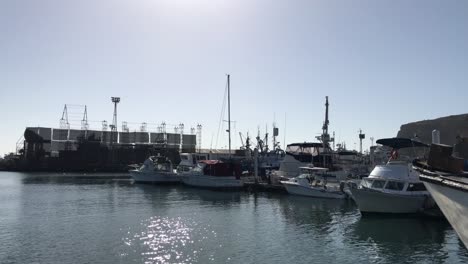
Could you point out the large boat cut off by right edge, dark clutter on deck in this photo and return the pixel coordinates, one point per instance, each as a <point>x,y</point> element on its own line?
<point>448,185</point>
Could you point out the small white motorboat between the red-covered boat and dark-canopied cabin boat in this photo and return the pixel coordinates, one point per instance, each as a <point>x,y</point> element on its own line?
<point>315,182</point>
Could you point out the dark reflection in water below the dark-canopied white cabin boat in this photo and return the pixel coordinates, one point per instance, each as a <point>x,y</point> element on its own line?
<point>413,239</point>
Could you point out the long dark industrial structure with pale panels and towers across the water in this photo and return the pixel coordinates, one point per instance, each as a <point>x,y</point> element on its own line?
<point>85,149</point>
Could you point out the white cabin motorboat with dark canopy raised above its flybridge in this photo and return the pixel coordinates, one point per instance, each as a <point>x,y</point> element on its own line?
<point>394,187</point>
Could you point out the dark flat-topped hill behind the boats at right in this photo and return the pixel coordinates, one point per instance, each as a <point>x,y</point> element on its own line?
<point>450,128</point>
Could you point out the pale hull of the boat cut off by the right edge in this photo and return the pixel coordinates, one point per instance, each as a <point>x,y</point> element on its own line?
<point>453,202</point>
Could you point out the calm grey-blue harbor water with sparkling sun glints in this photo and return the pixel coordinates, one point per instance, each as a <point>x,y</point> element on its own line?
<point>59,219</point>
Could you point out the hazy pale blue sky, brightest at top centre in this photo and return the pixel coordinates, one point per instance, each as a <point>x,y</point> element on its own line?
<point>382,64</point>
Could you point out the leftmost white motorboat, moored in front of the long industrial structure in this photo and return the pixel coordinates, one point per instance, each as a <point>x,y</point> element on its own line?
<point>155,170</point>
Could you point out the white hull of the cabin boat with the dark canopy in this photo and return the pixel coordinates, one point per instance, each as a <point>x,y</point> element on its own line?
<point>372,201</point>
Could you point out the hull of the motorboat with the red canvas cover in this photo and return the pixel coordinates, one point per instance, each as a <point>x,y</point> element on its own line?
<point>215,182</point>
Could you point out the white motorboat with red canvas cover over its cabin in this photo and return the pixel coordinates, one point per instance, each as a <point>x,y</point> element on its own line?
<point>214,174</point>
